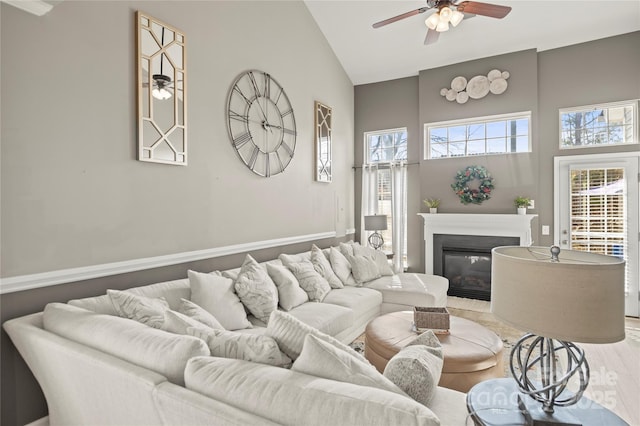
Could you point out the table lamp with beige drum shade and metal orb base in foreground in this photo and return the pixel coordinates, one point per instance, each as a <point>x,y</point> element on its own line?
<point>557,297</point>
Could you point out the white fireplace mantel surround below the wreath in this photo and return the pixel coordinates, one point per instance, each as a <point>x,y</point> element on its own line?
<point>498,225</point>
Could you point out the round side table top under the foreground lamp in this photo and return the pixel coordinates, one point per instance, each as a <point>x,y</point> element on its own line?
<point>498,402</point>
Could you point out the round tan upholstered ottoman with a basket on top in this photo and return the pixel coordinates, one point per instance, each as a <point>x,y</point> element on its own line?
<point>472,353</point>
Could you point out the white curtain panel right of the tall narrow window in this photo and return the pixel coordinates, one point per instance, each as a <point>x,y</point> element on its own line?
<point>399,209</point>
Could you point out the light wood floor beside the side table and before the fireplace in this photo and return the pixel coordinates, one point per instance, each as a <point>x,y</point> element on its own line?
<point>615,368</point>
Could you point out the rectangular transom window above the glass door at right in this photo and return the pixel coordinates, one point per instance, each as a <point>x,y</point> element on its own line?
<point>599,125</point>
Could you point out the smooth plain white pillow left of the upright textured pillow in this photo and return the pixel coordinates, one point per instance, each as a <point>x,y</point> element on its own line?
<point>215,294</point>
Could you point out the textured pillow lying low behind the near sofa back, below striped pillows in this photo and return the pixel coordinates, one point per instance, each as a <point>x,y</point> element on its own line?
<point>249,347</point>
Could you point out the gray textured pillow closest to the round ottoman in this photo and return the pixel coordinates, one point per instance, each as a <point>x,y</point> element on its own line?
<point>416,369</point>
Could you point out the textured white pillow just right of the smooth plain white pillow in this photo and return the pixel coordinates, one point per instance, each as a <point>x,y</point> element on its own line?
<point>256,289</point>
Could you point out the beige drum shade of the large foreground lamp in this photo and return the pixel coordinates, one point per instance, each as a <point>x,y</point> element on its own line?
<point>580,298</point>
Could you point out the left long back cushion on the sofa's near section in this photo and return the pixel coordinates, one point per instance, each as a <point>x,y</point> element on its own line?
<point>131,341</point>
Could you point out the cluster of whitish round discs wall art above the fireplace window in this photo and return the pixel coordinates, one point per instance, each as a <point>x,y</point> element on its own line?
<point>477,87</point>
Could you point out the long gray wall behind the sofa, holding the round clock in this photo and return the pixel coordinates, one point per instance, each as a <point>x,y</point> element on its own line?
<point>73,193</point>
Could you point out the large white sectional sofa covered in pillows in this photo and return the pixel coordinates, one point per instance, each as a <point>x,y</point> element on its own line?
<point>96,367</point>
